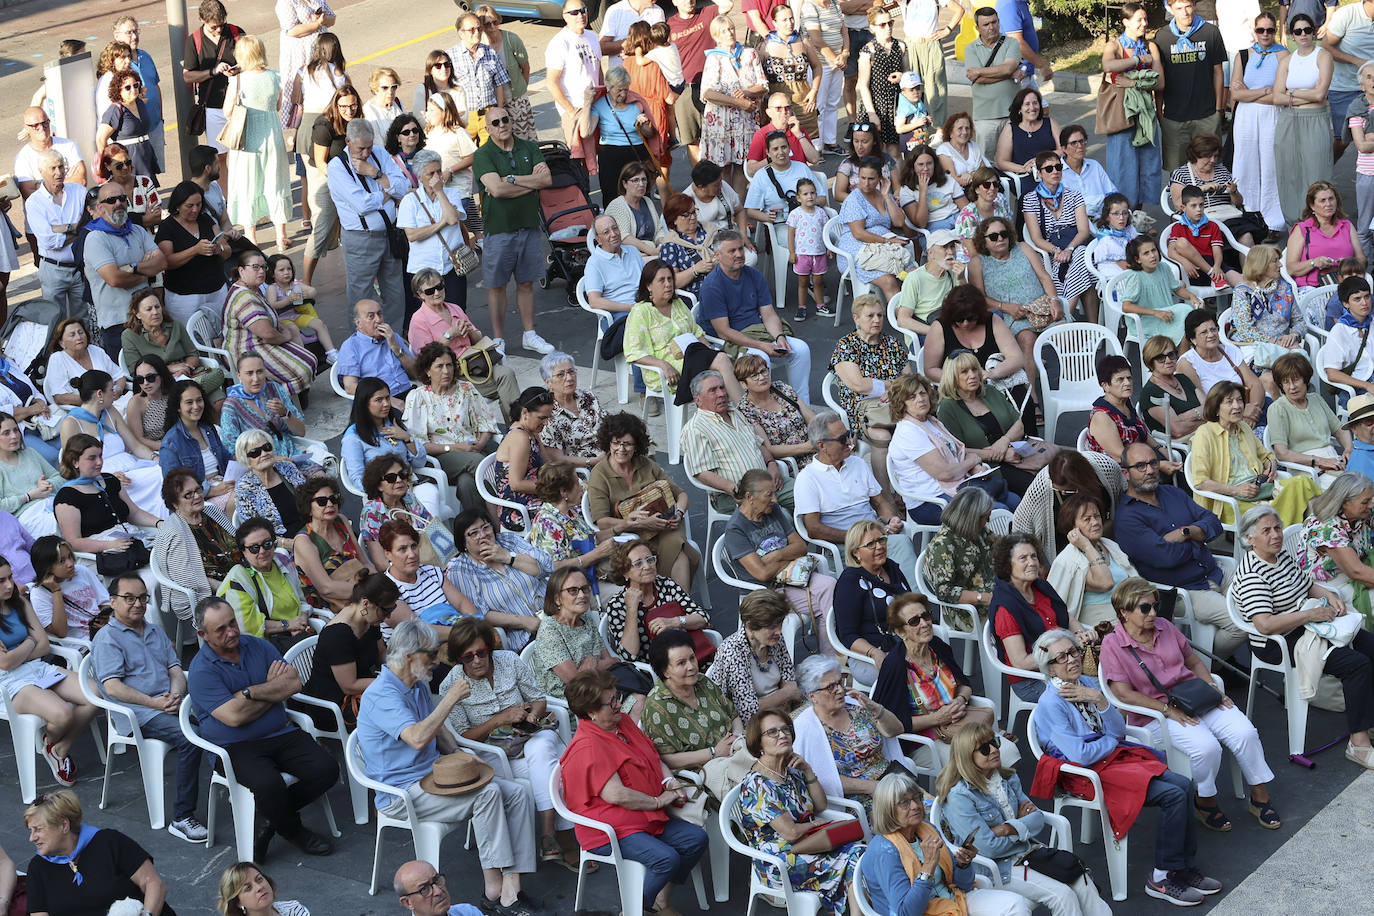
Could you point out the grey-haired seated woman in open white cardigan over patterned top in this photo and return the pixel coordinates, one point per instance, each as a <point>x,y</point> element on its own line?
<point>848,738</point>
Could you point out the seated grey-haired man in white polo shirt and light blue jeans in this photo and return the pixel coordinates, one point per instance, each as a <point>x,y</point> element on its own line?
<point>839,490</point>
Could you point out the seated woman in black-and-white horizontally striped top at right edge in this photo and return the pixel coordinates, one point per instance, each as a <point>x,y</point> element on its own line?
<point>1281,598</point>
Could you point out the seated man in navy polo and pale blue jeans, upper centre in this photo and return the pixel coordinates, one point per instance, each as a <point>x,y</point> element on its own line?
<point>740,308</point>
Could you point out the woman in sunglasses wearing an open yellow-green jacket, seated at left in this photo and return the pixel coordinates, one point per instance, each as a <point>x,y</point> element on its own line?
<point>264,588</point>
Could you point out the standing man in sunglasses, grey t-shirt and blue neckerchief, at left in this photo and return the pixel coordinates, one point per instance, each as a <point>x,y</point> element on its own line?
<point>122,259</point>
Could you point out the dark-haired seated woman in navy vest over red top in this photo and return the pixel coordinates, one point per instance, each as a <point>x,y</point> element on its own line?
<point>1024,606</point>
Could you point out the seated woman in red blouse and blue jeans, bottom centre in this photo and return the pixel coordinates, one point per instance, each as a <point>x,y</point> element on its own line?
<point>613,774</point>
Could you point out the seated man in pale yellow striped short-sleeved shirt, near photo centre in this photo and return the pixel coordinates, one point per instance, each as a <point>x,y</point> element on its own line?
<point>719,446</point>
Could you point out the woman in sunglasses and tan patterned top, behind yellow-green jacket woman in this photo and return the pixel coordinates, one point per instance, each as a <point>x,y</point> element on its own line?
<point>325,550</point>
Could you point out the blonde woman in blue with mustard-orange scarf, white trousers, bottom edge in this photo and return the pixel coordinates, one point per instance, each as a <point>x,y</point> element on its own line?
<point>910,871</point>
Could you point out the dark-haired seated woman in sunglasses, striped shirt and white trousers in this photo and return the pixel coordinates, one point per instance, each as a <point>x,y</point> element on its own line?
<point>501,708</point>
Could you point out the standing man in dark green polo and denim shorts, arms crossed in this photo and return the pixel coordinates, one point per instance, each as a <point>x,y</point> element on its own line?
<point>512,172</point>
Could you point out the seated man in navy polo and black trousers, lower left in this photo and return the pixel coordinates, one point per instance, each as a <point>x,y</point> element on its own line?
<point>240,687</point>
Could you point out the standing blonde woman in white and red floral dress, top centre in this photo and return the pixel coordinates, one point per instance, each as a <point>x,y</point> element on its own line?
<point>732,84</point>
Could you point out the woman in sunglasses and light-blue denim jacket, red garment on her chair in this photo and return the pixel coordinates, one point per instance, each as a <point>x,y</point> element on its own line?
<point>1078,726</point>
